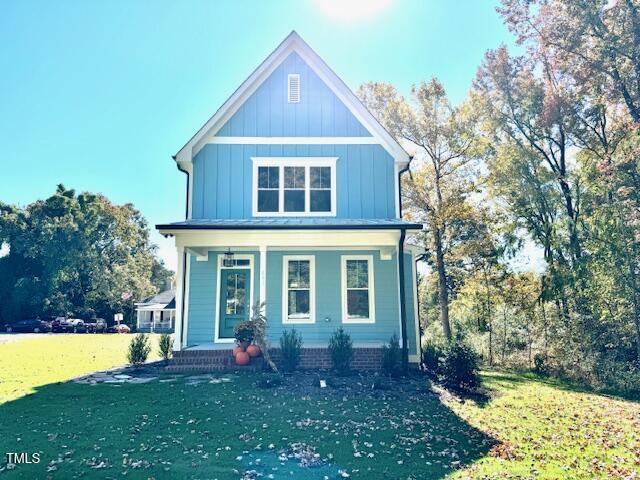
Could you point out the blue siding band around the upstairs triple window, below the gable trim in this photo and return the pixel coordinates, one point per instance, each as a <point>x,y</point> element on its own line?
<point>222,182</point>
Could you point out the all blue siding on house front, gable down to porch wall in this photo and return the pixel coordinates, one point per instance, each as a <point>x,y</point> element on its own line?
<point>266,124</point>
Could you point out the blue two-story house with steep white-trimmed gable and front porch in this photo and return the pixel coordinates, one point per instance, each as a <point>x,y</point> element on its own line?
<point>293,199</point>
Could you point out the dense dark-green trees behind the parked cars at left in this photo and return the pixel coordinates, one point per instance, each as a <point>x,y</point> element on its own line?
<point>75,254</point>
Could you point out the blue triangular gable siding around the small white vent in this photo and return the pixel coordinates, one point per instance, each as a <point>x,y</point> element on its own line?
<point>267,112</point>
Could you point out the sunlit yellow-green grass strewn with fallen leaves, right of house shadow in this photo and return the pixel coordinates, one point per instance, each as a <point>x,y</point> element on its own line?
<point>548,429</point>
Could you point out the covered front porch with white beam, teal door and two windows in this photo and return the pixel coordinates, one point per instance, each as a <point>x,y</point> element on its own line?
<point>300,278</point>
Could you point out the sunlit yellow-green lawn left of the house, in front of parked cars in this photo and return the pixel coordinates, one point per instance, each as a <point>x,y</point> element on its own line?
<point>39,360</point>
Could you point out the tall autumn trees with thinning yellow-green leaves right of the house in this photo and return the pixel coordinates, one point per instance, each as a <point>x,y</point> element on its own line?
<point>545,149</point>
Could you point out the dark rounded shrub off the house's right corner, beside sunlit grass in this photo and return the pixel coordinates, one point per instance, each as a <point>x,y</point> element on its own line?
<point>458,366</point>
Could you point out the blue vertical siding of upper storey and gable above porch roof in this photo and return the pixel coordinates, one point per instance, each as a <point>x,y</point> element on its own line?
<point>222,177</point>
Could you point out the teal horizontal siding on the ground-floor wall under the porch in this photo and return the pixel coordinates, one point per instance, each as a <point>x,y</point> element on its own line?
<point>203,290</point>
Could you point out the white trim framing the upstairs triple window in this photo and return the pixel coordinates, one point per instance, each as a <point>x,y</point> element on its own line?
<point>282,162</point>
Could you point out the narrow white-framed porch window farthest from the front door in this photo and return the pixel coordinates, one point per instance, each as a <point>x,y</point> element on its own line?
<point>358,294</point>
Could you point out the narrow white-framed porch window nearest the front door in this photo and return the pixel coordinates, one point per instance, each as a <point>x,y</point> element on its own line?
<point>299,295</point>
